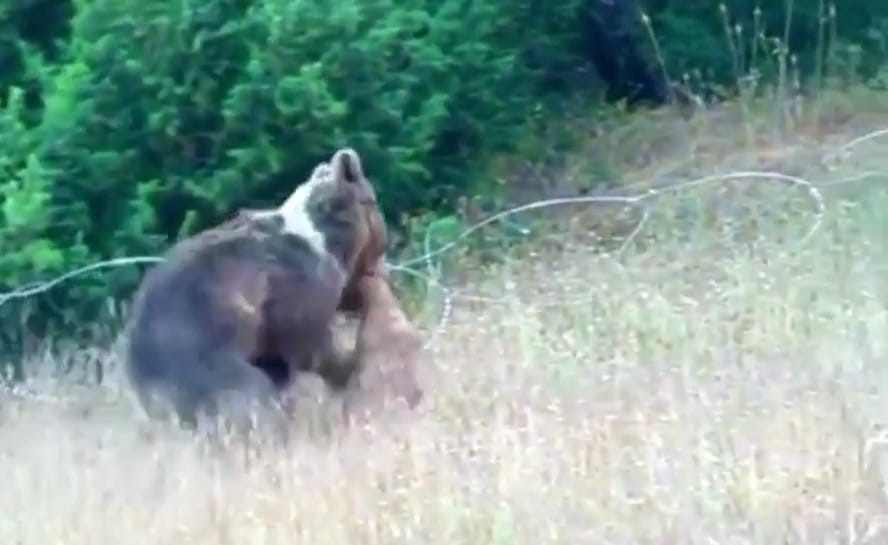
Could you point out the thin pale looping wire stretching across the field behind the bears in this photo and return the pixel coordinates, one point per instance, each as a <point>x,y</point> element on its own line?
<point>432,278</point>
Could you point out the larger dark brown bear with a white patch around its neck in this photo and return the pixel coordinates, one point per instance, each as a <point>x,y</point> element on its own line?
<point>262,287</point>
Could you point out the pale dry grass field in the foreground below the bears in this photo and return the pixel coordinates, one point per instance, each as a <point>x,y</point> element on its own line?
<point>718,384</point>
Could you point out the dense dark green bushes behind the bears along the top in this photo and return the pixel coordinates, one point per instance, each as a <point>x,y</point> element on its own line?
<point>128,123</point>
